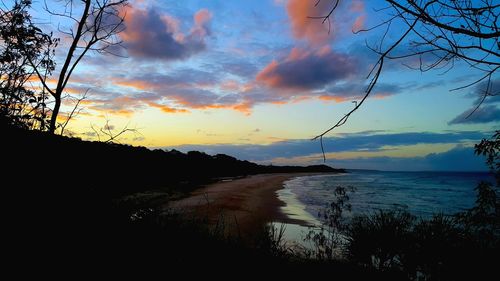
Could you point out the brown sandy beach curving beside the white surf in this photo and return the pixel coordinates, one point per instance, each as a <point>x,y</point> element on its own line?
<point>241,204</point>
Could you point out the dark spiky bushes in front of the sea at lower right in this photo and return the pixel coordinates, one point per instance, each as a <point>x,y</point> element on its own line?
<point>463,246</point>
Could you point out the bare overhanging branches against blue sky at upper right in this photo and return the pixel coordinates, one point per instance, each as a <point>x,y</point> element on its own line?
<point>439,34</point>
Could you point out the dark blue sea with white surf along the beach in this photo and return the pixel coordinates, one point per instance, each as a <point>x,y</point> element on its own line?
<point>421,193</point>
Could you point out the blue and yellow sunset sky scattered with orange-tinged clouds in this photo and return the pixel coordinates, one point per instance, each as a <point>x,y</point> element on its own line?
<point>257,79</point>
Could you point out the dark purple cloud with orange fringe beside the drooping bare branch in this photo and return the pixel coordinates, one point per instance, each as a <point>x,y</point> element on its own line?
<point>322,74</point>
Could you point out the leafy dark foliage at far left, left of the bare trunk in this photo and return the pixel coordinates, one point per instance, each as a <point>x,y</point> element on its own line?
<point>23,46</point>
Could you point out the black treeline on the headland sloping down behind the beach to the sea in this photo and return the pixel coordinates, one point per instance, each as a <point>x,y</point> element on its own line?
<point>118,169</point>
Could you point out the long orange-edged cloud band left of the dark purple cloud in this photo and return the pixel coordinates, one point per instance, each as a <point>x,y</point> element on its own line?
<point>196,89</point>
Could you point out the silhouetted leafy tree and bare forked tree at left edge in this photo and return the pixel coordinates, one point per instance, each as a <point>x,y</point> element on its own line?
<point>26,58</point>
